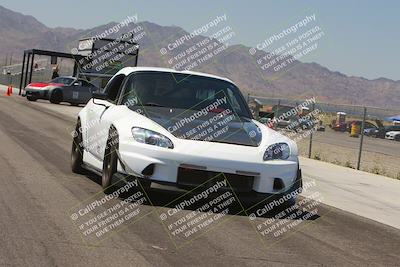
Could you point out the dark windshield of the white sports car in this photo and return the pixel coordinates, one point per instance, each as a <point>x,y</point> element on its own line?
<point>183,91</point>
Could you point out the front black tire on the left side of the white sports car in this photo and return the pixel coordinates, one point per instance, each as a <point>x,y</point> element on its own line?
<point>110,162</point>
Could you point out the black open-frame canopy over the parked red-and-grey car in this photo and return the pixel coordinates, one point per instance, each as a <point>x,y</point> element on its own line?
<point>28,63</point>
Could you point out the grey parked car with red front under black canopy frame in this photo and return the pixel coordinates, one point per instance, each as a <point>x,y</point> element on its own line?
<point>62,89</point>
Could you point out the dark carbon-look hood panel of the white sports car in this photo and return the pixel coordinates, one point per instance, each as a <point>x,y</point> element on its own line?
<point>222,127</point>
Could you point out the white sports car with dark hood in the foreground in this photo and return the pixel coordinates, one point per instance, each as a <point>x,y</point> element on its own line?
<point>181,129</point>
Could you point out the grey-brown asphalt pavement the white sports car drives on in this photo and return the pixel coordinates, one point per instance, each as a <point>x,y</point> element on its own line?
<point>38,191</point>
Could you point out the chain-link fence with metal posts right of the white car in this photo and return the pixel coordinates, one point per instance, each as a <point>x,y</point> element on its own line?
<point>364,138</point>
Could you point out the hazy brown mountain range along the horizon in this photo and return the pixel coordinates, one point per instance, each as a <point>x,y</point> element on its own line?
<point>303,80</point>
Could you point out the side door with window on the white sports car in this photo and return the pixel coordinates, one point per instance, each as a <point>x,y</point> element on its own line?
<point>98,127</point>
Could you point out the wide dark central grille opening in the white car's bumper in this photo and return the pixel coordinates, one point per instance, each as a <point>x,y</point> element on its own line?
<point>190,178</point>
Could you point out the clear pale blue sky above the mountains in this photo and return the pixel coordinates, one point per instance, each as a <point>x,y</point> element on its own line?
<point>361,37</point>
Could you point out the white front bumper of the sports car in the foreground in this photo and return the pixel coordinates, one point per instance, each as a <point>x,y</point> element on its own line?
<point>188,168</point>
